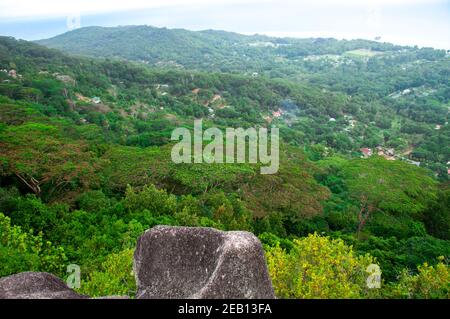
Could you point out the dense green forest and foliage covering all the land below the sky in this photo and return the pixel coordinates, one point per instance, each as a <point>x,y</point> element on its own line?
<point>85,162</point>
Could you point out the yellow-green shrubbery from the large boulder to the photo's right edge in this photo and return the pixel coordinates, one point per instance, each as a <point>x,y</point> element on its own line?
<point>318,267</point>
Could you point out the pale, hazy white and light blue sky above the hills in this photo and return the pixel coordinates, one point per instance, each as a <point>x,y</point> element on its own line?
<point>406,22</point>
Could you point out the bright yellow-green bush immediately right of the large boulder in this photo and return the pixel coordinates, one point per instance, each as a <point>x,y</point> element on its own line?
<point>318,267</point>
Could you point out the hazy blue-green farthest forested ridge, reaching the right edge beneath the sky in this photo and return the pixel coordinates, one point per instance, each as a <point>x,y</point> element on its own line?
<point>359,67</point>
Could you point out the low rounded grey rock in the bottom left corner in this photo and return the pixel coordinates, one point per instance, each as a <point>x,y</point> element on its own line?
<point>35,285</point>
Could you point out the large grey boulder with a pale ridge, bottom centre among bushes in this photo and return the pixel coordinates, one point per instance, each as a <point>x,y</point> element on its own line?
<point>192,262</point>
